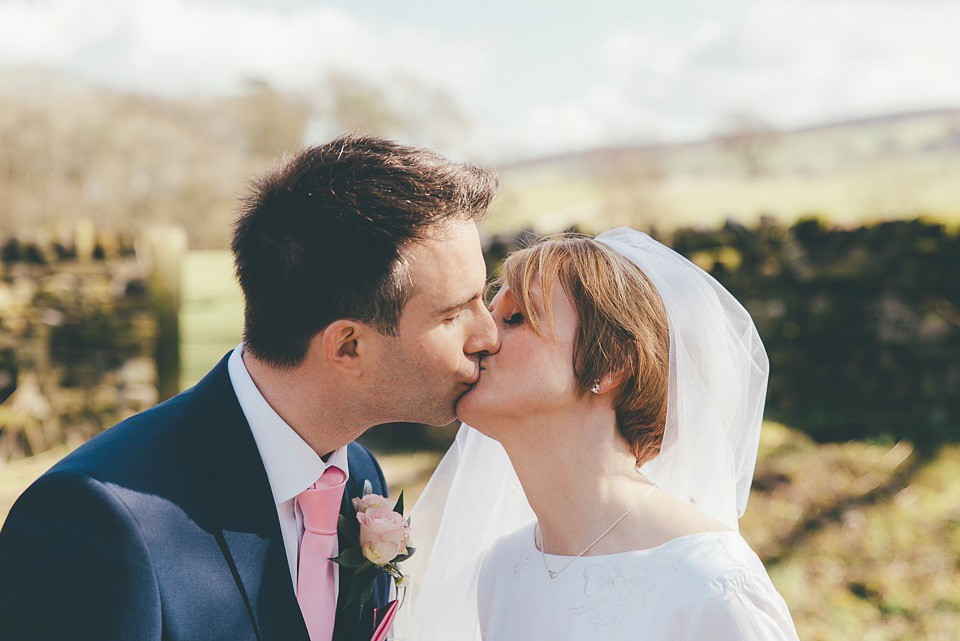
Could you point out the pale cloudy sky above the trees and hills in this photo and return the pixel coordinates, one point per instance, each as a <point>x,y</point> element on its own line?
<point>533,77</point>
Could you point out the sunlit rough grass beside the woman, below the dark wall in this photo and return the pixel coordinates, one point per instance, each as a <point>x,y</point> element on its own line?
<point>862,540</point>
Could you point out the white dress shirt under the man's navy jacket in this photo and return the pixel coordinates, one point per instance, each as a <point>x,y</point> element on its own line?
<point>292,466</point>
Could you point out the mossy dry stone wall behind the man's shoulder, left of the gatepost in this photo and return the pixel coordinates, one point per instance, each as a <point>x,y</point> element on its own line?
<point>79,333</point>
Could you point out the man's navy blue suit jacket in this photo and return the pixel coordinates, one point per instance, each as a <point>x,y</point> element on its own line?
<point>164,527</point>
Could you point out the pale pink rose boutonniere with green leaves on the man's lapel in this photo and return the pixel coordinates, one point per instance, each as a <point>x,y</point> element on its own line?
<point>382,539</point>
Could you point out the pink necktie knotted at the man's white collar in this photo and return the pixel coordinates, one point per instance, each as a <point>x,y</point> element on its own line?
<point>316,585</point>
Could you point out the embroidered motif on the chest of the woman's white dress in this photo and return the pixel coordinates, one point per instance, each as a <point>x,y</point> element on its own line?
<point>615,592</point>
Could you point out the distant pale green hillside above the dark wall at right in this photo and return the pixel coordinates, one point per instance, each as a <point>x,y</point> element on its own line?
<point>890,167</point>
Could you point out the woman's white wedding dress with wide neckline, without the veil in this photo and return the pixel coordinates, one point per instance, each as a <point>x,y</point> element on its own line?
<point>700,587</point>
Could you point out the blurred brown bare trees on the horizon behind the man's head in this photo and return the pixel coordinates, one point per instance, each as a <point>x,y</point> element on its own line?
<point>126,161</point>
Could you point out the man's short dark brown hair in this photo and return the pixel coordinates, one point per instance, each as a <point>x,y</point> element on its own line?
<point>323,236</point>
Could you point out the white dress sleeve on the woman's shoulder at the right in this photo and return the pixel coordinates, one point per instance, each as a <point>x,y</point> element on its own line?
<point>741,606</point>
